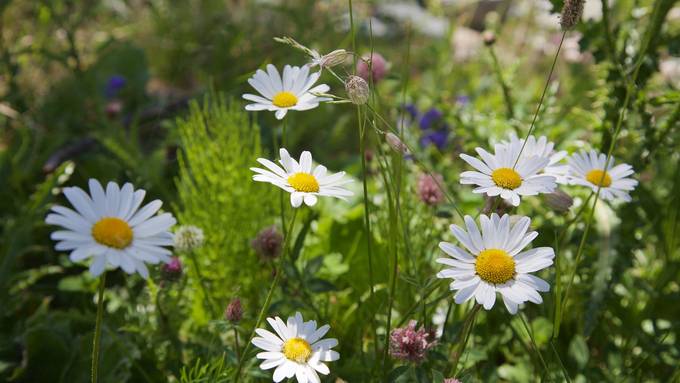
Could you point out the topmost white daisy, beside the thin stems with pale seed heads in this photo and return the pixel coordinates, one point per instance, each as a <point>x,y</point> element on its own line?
<point>293,92</point>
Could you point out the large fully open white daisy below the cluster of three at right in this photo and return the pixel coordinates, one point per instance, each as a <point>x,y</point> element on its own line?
<point>493,261</point>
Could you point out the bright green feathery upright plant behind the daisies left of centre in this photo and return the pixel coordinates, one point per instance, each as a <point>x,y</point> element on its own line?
<point>219,144</point>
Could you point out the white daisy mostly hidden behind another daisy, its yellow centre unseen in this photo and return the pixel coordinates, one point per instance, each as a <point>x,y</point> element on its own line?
<point>541,147</point>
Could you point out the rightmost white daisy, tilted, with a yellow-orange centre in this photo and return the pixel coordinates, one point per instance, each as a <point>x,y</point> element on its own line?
<point>587,169</point>
